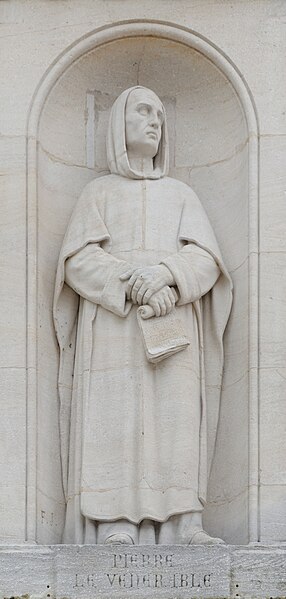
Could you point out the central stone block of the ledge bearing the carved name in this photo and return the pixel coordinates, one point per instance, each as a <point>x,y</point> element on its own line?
<point>160,571</point>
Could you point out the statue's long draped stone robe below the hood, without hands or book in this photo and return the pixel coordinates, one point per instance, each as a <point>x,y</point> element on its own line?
<point>137,438</point>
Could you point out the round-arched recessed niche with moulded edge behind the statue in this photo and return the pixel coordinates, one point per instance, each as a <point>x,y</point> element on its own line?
<point>212,132</point>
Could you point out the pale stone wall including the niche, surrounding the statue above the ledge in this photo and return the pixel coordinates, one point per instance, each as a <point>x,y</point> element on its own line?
<point>220,68</point>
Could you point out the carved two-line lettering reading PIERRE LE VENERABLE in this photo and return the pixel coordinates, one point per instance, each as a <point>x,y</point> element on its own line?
<point>127,572</point>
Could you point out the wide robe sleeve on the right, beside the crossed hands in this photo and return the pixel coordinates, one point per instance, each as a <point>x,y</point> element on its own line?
<point>194,270</point>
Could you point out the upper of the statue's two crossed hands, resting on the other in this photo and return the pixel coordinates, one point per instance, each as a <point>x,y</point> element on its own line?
<point>145,281</point>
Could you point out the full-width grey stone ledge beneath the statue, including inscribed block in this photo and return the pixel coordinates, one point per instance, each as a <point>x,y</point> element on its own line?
<point>141,572</point>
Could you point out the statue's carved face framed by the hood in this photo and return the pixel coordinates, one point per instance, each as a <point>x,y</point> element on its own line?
<point>143,122</point>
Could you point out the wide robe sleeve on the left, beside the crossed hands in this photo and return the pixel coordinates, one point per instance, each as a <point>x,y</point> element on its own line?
<point>94,274</point>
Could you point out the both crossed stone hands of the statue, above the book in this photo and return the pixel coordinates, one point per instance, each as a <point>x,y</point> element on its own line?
<point>151,285</point>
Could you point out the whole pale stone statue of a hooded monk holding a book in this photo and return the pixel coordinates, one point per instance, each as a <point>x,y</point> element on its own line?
<point>142,299</point>
